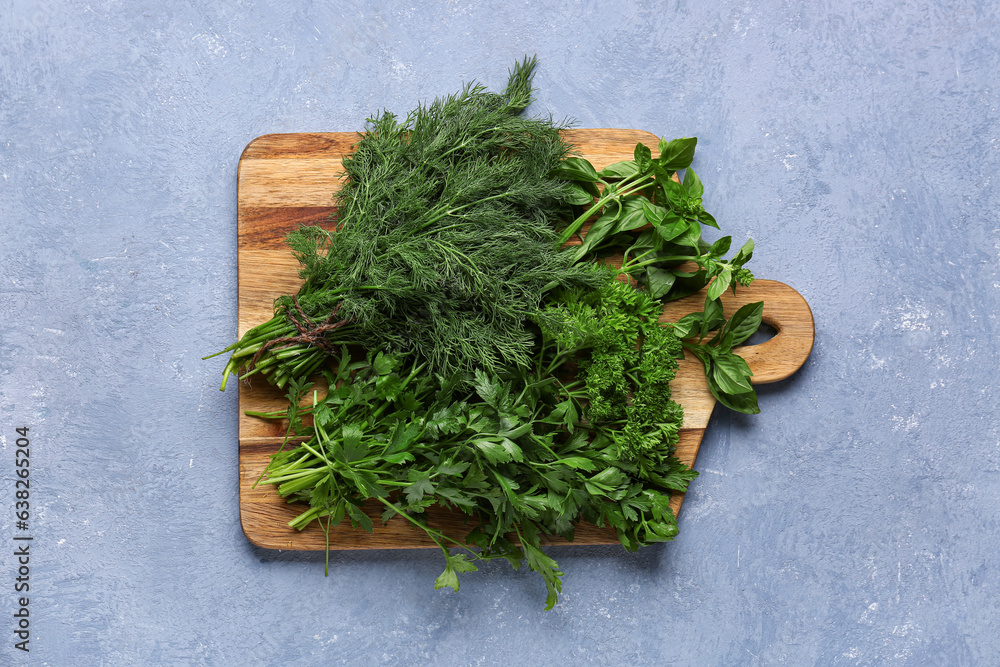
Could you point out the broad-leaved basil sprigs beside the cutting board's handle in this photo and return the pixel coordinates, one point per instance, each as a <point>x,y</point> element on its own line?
<point>655,221</point>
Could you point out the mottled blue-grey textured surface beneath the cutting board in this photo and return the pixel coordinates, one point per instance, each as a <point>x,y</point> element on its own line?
<point>854,521</point>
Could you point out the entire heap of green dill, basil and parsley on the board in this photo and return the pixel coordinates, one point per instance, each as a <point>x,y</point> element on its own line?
<point>506,375</point>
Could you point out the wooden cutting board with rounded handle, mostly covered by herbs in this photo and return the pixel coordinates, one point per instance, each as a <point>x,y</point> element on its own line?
<point>288,180</point>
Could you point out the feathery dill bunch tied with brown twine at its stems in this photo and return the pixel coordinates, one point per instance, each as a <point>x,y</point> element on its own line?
<point>444,245</point>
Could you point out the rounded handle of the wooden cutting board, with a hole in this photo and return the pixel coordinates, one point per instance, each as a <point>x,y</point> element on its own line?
<point>789,314</point>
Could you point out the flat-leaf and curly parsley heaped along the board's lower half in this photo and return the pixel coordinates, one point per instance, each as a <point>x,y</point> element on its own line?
<point>526,454</point>
